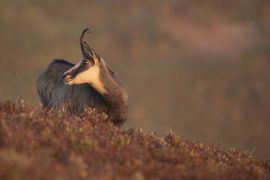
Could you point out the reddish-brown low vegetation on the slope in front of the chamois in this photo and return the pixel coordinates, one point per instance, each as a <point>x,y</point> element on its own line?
<point>37,144</point>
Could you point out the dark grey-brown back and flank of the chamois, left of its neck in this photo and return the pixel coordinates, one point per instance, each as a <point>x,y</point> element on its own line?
<point>53,92</point>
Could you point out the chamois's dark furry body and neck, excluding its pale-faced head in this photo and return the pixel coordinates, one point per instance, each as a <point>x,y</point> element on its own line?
<point>53,92</point>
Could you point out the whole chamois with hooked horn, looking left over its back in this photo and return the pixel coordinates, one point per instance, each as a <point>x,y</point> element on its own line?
<point>89,83</point>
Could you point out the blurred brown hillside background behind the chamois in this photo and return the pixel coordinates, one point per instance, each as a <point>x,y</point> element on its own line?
<point>200,68</point>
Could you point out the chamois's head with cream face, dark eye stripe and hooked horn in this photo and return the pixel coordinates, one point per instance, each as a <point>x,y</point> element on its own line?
<point>88,69</point>
